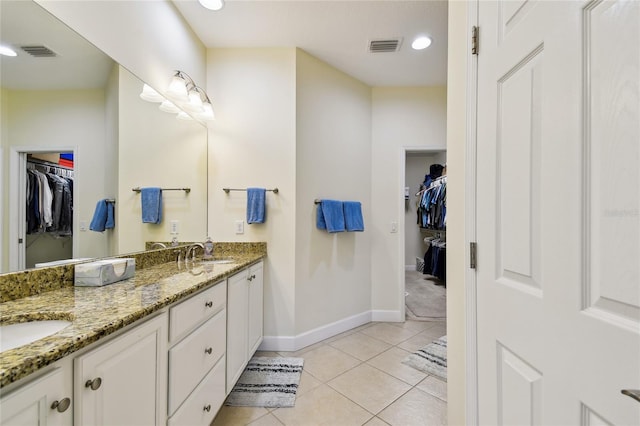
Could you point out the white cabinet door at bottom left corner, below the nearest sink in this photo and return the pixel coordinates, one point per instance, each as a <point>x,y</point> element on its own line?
<point>45,401</point>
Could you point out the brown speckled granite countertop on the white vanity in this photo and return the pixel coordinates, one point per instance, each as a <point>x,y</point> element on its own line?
<point>96,312</point>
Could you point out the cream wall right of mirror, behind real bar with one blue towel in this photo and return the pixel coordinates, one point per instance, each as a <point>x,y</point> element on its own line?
<point>253,143</point>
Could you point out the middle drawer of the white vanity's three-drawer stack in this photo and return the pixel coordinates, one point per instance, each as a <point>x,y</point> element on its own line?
<point>193,357</point>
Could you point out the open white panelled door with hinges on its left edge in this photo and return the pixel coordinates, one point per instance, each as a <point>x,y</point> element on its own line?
<point>558,212</point>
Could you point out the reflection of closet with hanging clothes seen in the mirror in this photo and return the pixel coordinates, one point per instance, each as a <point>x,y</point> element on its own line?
<point>48,217</point>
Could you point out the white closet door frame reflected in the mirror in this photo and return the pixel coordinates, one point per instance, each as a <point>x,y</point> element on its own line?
<point>17,191</point>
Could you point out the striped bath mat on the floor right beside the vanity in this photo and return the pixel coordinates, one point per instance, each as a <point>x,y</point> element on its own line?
<point>267,382</point>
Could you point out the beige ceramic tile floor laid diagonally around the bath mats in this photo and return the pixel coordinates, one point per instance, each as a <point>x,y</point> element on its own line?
<point>357,378</point>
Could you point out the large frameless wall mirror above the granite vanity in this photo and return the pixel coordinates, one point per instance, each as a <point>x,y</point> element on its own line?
<point>66,96</point>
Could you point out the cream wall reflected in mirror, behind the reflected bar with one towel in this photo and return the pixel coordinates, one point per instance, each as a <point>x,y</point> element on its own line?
<point>156,149</point>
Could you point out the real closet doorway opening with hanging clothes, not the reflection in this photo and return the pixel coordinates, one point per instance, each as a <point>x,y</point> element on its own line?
<point>425,234</point>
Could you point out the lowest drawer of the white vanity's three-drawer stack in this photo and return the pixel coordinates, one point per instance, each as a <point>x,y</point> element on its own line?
<point>203,404</point>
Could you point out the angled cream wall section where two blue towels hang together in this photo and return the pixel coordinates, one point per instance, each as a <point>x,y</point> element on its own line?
<point>333,160</point>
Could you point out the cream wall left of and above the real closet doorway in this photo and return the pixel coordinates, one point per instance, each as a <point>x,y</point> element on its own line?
<point>402,117</point>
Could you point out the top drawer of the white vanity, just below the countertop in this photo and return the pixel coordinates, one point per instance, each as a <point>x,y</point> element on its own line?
<point>191,312</point>
